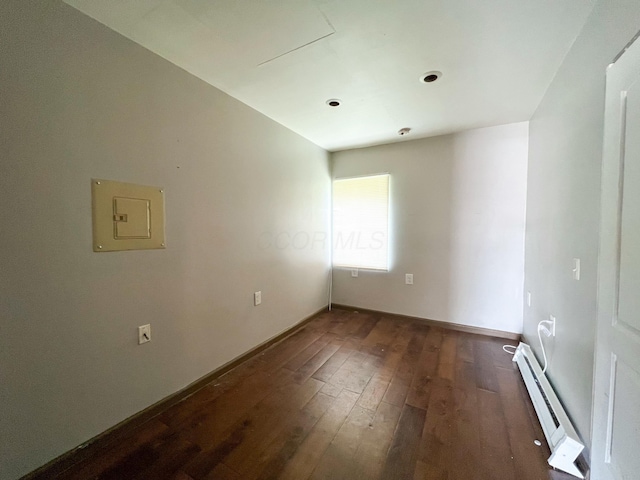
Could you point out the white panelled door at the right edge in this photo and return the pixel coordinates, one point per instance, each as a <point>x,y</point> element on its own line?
<point>616,417</point>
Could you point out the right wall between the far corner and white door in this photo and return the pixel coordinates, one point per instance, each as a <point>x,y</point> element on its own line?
<point>564,200</point>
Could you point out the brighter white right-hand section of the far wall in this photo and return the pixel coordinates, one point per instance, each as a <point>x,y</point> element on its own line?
<point>488,208</point>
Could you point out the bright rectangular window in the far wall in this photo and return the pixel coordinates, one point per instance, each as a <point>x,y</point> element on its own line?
<point>361,222</point>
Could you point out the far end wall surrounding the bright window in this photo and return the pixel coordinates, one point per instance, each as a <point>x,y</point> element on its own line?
<point>458,212</point>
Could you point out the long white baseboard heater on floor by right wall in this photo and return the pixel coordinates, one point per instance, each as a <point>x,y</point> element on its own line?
<point>564,443</point>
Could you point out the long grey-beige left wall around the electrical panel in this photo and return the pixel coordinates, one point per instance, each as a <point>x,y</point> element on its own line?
<point>78,101</point>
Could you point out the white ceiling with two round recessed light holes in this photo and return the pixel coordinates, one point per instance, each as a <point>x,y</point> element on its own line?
<point>286,58</point>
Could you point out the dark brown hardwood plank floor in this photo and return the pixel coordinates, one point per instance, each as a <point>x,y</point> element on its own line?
<point>348,396</point>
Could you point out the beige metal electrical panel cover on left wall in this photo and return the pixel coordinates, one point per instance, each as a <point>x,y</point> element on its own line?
<point>127,216</point>
